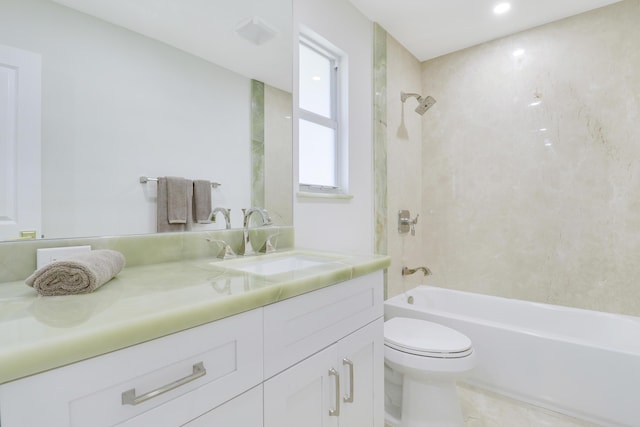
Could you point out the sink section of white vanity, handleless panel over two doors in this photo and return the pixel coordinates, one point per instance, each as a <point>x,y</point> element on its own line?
<point>325,352</point>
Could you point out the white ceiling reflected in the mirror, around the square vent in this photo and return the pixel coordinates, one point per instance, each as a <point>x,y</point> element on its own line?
<point>206,28</point>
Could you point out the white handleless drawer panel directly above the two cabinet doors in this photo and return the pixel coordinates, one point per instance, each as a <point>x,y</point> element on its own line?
<point>298,327</point>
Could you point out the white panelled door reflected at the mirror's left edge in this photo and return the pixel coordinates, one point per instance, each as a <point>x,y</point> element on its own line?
<point>20,94</point>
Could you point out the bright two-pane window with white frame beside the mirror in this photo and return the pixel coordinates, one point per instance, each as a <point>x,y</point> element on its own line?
<point>318,126</point>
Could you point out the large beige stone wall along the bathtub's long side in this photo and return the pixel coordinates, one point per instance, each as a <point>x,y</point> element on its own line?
<point>531,164</point>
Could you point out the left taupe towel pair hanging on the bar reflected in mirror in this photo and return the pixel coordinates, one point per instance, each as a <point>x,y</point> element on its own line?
<point>174,204</point>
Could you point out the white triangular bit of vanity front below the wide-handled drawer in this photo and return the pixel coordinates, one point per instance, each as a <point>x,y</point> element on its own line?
<point>243,411</point>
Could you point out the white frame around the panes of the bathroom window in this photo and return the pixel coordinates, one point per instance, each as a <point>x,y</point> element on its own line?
<point>333,122</point>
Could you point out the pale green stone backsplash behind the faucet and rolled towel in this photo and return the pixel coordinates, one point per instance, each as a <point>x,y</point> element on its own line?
<point>18,259</point>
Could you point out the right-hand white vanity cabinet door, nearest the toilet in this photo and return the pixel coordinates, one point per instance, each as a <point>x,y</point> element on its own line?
<point>362,374</point>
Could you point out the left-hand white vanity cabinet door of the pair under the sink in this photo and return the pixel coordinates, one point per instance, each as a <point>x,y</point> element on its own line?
<point>303,394</point>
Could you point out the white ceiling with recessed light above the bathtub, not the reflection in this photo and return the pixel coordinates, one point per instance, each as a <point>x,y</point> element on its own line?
<point>431,28</point>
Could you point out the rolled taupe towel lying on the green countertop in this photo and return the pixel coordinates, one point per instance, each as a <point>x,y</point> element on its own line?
<point>77,274</point>
